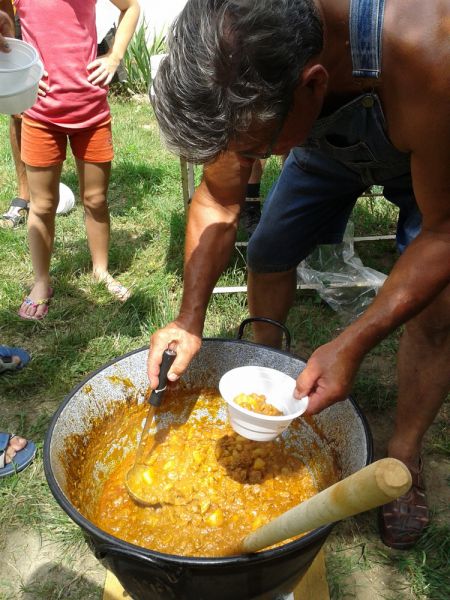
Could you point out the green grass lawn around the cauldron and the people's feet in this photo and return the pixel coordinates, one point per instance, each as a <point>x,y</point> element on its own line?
<point>86,328</point>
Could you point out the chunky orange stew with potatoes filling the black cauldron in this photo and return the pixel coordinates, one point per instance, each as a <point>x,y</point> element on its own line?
<point>213,486</point>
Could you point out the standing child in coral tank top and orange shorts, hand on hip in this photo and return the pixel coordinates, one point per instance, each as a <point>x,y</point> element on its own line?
<point>72,106</point>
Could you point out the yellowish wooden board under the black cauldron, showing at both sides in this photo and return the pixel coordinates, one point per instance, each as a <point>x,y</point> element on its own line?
<point>313,586</point>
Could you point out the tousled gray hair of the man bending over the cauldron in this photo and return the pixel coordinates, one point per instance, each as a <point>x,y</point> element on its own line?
<point>231,63</point>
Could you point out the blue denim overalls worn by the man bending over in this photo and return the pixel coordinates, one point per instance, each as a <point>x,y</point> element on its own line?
<point>345,153</point>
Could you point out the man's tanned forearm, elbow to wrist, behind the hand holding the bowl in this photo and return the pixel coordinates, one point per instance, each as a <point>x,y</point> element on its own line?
<point>416,279</point>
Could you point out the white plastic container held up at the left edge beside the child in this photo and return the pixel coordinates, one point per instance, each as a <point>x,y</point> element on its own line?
<point>20,73</point>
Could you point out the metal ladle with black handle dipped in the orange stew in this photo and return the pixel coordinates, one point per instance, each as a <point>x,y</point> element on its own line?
<point>138,478</point>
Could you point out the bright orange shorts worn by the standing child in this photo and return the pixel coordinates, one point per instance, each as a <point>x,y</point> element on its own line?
<point>44,144</point>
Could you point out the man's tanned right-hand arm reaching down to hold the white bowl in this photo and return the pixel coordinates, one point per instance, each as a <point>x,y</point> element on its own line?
<point>421,272</point>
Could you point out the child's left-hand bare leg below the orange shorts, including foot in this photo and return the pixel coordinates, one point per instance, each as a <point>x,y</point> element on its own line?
<point>44,186</point>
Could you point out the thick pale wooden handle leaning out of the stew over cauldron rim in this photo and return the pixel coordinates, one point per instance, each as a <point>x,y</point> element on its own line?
<point>372,486</point>
